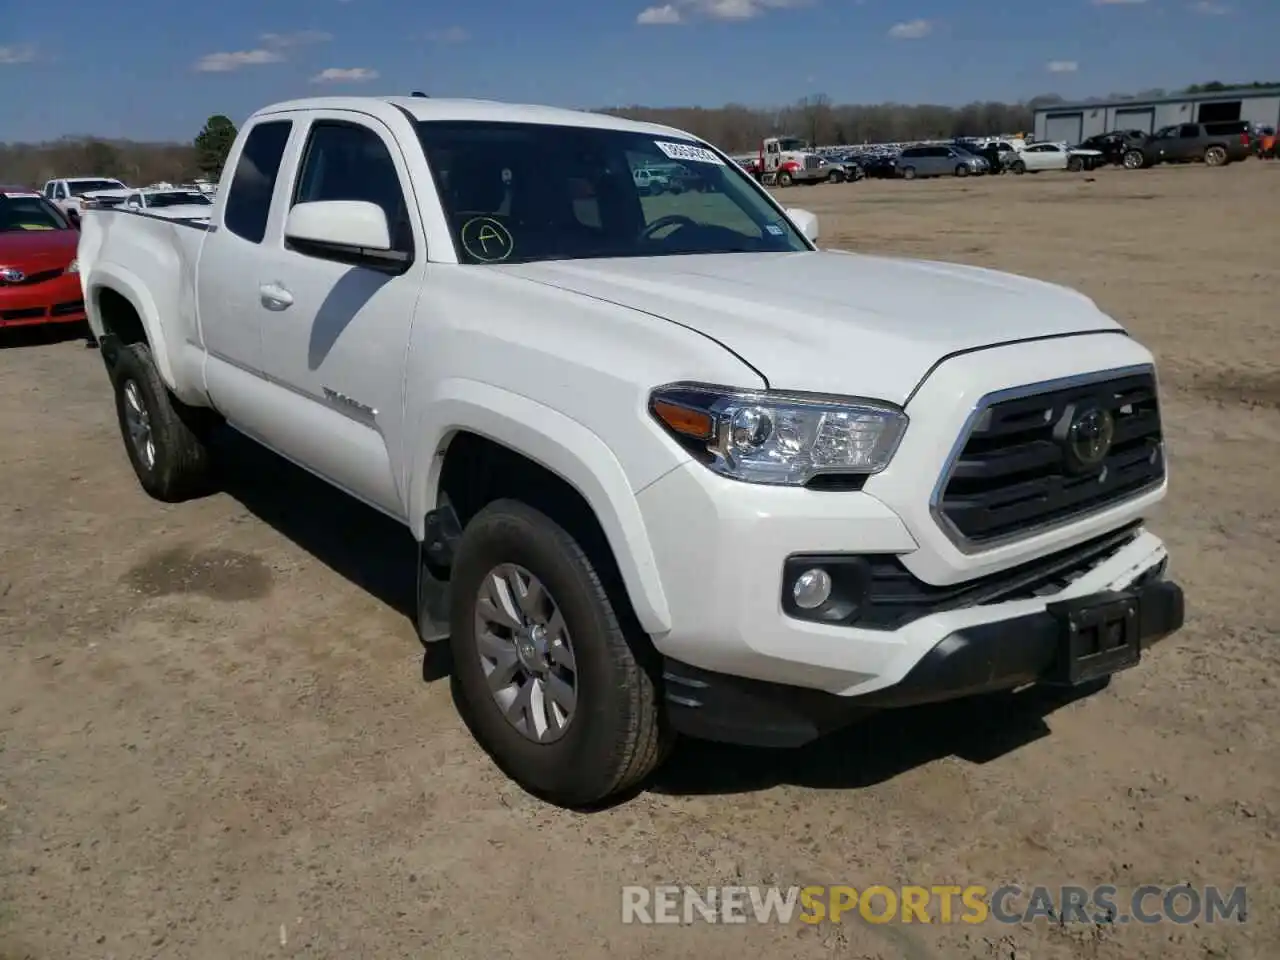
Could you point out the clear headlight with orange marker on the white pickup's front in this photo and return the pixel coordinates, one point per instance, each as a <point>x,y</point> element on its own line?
<point>779,438</point>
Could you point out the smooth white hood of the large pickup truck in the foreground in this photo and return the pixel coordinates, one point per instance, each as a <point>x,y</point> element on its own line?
<point>831,322</point>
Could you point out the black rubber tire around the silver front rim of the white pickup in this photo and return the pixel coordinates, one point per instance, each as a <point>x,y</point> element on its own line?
<point>615,734</point>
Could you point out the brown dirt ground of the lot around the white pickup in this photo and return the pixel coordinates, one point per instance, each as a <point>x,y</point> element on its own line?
<point>217,740</point>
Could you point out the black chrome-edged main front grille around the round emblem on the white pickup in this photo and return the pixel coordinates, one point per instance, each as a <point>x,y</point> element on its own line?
<point>1016,472</point>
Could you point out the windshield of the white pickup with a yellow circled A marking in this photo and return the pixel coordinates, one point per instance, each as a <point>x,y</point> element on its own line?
<point>518,193</point>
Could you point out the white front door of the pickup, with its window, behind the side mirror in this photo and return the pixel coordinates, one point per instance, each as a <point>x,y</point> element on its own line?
<point>336,336</point>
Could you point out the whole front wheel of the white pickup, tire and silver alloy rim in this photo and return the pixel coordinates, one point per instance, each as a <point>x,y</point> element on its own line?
<point>551,685</point>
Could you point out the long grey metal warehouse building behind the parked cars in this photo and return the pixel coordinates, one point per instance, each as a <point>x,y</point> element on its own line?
<point>1076,122</point>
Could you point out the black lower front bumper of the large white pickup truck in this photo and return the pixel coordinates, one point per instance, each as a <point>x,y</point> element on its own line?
<point>977,660</point>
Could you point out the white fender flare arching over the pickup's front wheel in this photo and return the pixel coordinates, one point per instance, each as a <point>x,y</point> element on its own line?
<point>563,446</point>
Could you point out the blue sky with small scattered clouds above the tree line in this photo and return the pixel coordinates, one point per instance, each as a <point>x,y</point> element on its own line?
<point>154,70</point>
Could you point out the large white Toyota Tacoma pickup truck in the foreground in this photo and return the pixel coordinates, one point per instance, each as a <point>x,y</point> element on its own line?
<point>673,468</point>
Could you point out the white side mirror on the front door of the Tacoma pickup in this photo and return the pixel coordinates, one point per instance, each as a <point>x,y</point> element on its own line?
<point>348,231</point>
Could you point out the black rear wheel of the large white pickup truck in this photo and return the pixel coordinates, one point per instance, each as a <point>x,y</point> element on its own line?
<point>164,437</point>
